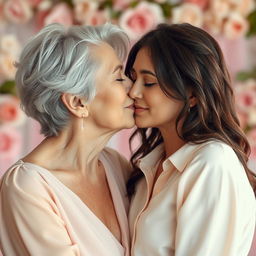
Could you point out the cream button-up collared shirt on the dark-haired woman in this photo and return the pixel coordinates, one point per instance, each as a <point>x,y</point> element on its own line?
<point>201,205</point>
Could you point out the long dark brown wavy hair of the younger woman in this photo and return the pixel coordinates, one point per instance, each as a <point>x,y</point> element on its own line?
<point>188,58</point>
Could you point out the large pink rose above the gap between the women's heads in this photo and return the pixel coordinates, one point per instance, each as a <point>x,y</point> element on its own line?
<point>144,17</point>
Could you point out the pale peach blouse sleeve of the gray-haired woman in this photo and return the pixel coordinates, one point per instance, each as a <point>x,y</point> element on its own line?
<point>30,221</point>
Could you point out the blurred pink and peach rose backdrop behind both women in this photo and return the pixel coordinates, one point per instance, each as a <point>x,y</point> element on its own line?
<point>232,22</point>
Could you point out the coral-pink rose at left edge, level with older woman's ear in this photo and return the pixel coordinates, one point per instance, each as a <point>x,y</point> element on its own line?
<point>10,111</point>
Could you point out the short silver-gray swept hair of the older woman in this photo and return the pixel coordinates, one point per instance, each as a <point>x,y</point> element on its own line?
<point>59,60</point>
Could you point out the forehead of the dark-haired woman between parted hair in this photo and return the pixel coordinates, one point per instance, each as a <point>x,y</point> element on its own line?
<point>143,60</point>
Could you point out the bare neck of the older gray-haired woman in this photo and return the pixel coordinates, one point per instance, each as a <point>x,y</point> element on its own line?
<point>73,149</point>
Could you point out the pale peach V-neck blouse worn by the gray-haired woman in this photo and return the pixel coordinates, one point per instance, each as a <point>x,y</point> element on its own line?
<point>40,216</point>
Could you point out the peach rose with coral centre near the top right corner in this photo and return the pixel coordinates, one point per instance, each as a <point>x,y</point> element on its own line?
<point>235,26</point>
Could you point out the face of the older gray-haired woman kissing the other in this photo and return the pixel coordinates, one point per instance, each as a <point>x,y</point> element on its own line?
<point>111,108</point>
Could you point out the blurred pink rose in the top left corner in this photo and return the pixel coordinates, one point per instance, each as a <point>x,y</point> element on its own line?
<point>17,11</point>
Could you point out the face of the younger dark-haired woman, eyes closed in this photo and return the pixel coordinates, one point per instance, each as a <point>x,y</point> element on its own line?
<point>152,107</point>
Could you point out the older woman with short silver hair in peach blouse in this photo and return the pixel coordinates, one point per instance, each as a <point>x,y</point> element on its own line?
<point>68,197</point>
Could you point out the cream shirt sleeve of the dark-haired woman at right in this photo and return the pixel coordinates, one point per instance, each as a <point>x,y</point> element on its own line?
<point>211,202</point>
